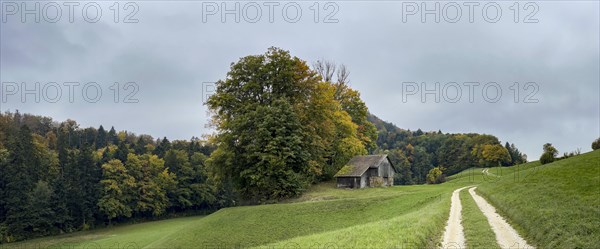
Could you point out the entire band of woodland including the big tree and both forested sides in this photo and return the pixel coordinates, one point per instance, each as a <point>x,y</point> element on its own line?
<point>280,126</point>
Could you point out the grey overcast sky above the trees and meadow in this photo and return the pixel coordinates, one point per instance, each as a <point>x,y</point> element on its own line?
<point>176,46</point>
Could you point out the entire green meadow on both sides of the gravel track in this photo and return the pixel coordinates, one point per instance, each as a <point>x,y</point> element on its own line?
<point>553,206</point>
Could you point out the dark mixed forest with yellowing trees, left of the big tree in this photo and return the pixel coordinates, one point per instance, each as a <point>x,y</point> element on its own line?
<point>58,177</point>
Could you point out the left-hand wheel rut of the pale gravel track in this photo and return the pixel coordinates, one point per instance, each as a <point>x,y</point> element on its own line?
<point>453,234</point>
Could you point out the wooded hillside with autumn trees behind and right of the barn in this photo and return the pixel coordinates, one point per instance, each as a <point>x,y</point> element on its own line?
<point>415,154</point>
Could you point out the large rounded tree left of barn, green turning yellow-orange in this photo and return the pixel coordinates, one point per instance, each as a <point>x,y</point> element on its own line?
<point>281,127</point>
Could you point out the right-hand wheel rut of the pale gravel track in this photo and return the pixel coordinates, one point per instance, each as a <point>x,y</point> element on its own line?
<point>506,236</point>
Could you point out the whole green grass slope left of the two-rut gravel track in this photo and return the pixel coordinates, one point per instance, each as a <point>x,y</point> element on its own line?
<point>323,216</point>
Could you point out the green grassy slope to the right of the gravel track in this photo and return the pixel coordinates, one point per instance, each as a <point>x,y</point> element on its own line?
<point>556,206</point>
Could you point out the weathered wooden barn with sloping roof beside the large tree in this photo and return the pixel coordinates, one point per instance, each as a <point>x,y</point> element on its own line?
<point>366,171</point>
